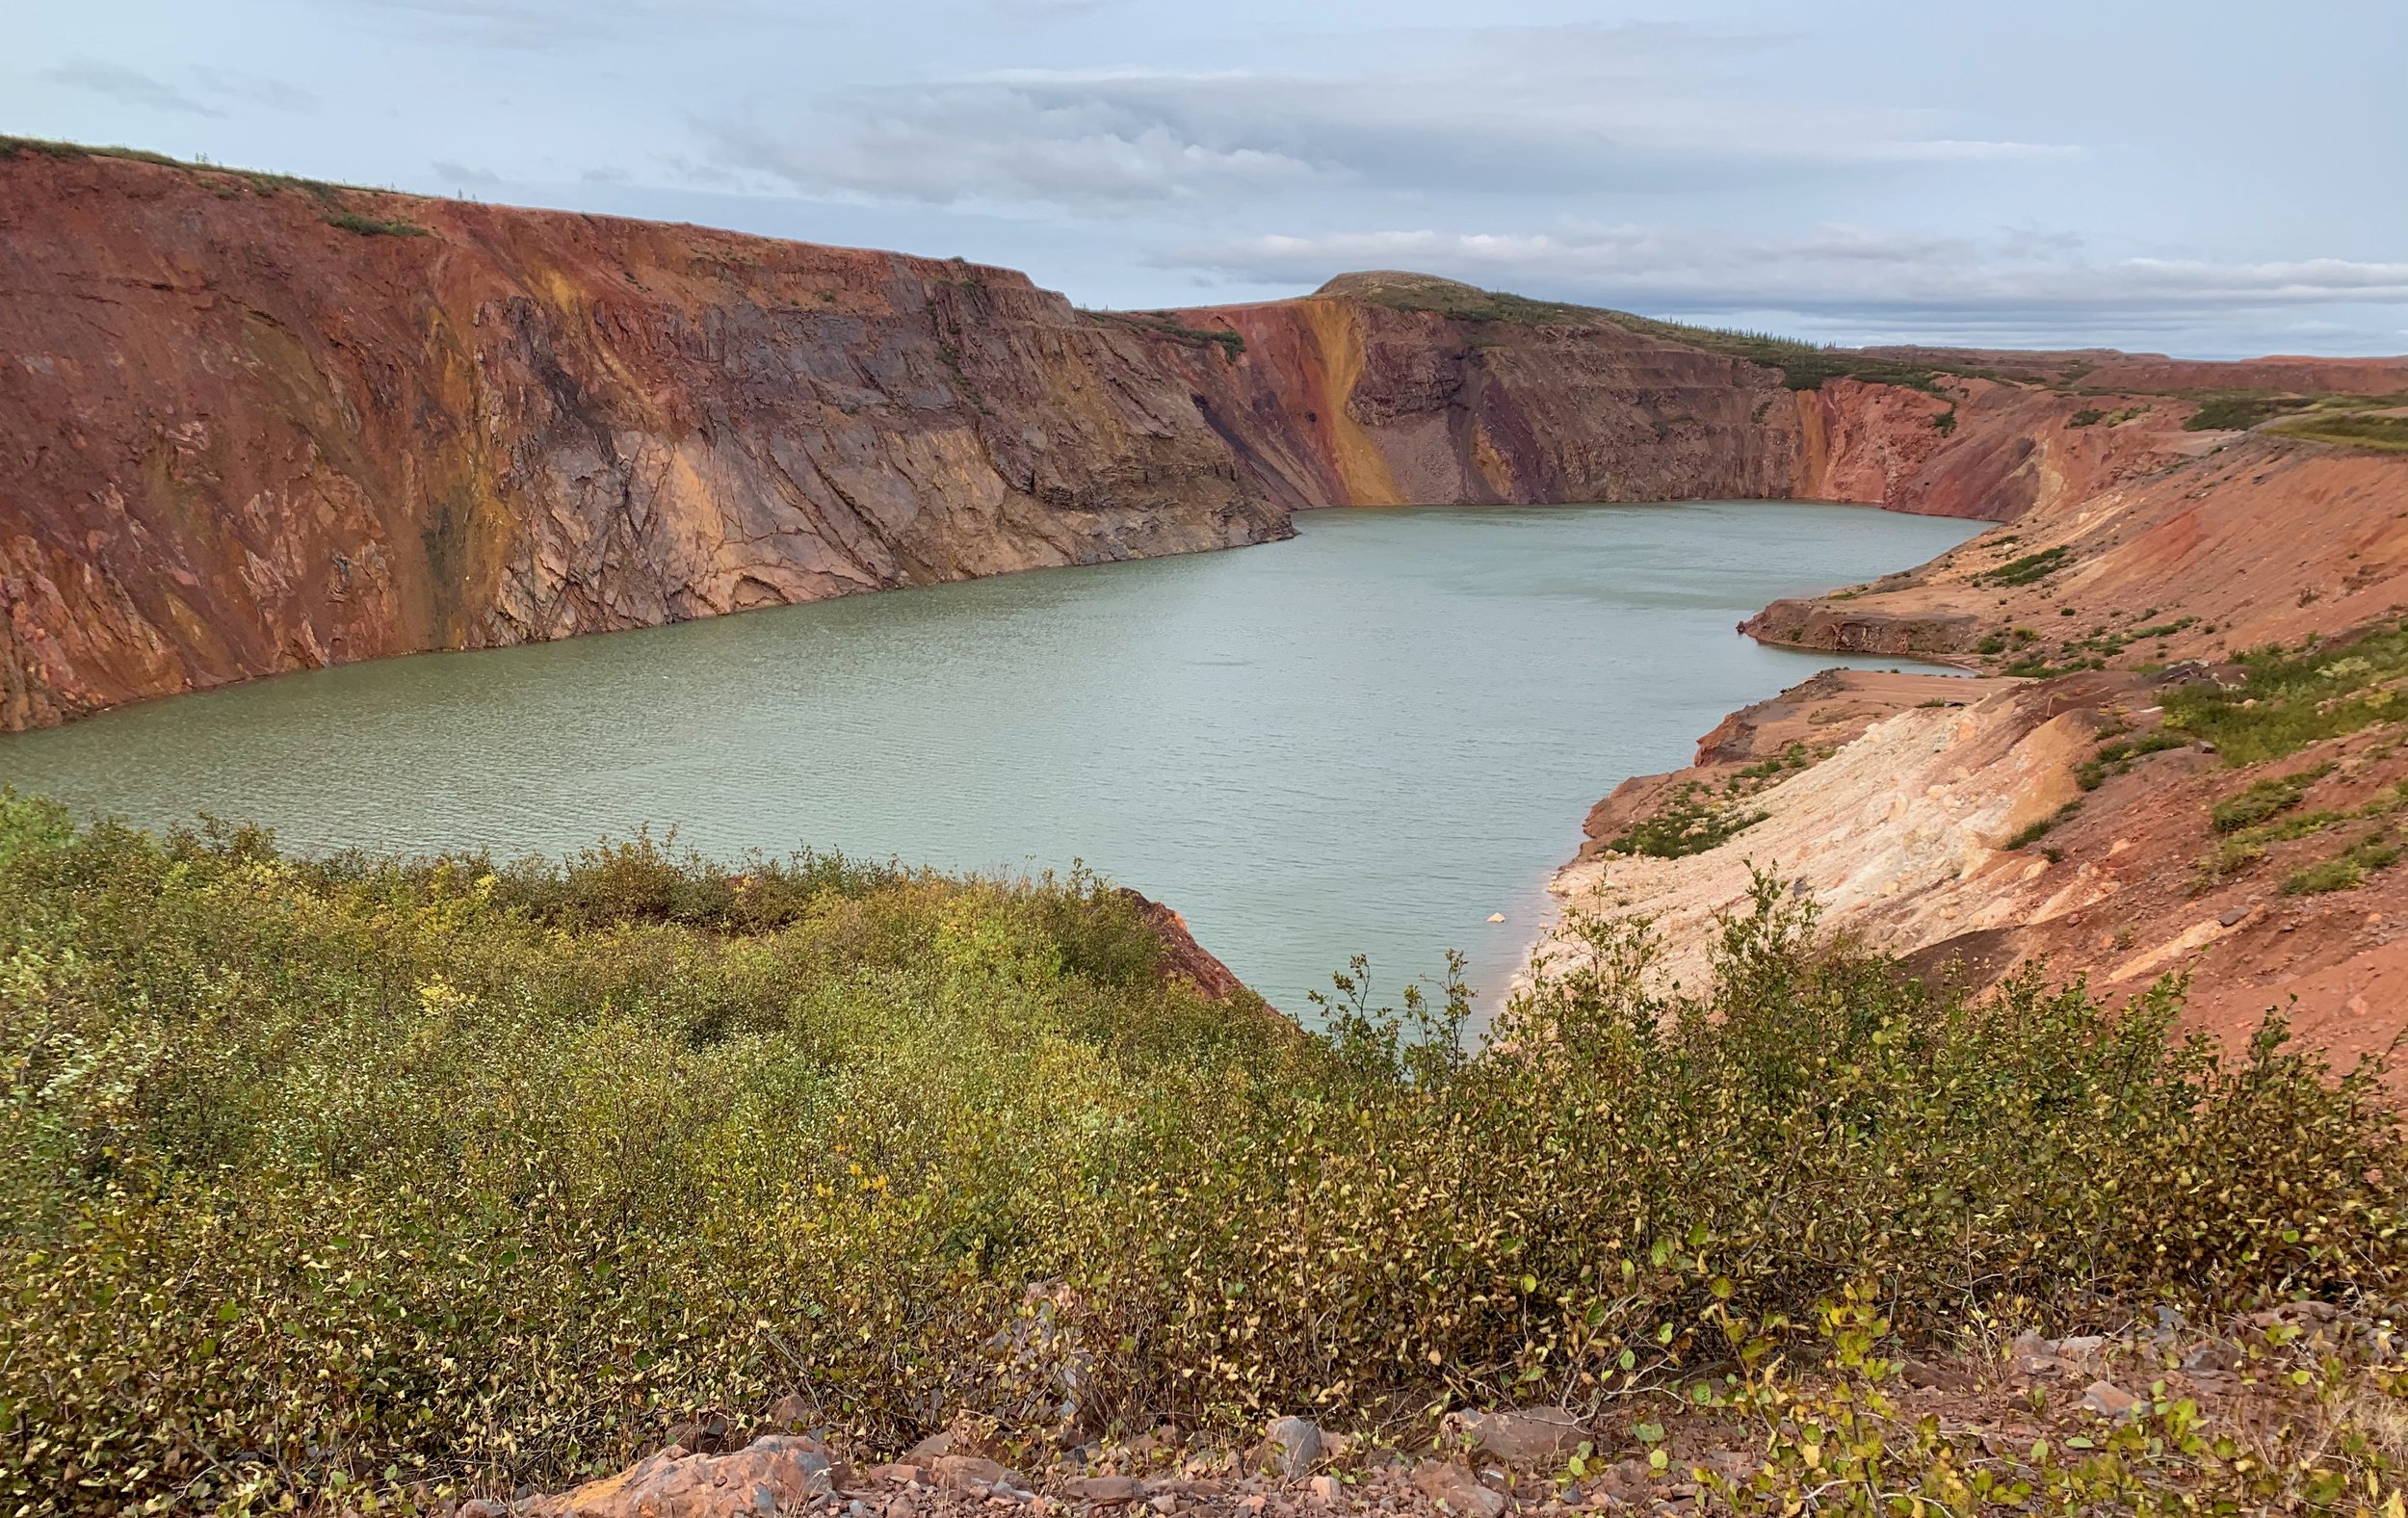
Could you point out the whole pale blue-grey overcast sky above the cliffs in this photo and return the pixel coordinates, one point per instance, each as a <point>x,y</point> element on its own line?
<point>2197,177</point>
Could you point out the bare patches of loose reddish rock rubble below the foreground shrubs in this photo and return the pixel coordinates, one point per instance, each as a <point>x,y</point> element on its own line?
<point>1535,1461</point>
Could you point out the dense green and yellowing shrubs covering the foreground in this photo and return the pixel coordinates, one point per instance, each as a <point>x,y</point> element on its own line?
<point>360,1182</point>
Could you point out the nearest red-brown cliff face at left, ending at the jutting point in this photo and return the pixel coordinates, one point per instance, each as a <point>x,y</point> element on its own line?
<point>252,428</point>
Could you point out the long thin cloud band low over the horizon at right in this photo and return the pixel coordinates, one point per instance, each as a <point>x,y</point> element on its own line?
<point>2017,278</point>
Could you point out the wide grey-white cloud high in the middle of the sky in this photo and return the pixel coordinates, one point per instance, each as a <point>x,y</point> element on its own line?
<point>1504,110</point>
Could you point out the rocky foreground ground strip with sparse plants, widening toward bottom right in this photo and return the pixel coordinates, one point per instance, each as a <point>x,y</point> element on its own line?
<point>2248,1416</point>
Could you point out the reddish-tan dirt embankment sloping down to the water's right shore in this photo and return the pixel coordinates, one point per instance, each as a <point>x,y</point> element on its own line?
<point>2074,806</point>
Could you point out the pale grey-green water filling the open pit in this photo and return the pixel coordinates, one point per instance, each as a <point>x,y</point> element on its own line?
<point>1362,741</point>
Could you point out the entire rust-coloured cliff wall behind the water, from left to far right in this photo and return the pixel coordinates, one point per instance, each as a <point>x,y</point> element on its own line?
<point>256,425</point>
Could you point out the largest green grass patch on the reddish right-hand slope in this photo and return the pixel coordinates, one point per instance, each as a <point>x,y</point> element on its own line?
<point>2291,700</point>
